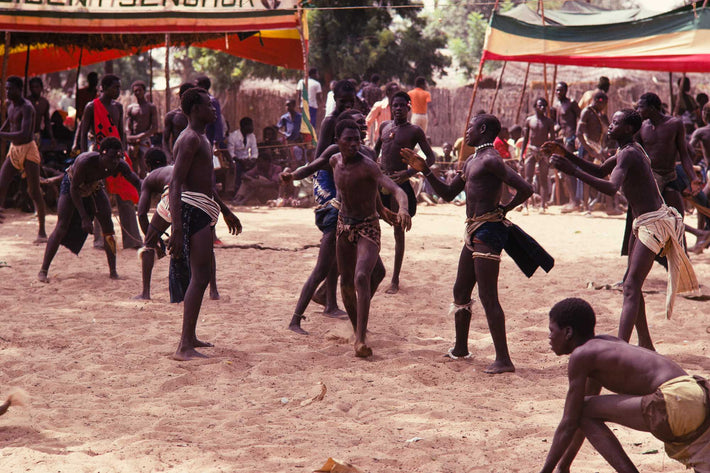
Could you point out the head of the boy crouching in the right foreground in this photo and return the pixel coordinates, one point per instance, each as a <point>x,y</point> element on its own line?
<point>572,323</point>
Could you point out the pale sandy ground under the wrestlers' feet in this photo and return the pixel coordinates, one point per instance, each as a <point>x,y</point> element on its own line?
<point>106,397</point>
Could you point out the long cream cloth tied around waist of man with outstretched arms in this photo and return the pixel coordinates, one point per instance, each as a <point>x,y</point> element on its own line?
<point>661,231</point>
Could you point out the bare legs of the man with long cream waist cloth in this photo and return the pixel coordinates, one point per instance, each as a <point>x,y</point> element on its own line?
<point>633,312</point>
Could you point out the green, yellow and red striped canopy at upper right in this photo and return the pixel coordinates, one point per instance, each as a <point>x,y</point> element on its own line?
<point>676,41</point>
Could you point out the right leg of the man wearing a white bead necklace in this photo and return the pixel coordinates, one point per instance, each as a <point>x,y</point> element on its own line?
<point>487,277</point>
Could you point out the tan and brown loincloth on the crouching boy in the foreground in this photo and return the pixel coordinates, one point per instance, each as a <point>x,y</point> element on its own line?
<point>678,413</point>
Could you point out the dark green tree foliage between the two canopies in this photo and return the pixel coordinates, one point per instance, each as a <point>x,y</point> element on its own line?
<point>360,38</point>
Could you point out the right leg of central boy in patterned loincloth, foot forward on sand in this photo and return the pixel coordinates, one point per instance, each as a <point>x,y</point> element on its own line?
<point>367,255</point>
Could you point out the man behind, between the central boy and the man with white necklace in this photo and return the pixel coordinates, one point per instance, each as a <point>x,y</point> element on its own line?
<point>395,135</point>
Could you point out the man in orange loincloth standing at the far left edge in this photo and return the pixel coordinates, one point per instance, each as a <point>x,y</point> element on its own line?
<point>23,155</point>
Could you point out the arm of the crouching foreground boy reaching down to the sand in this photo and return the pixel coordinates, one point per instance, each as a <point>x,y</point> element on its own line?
<point>574,405</point>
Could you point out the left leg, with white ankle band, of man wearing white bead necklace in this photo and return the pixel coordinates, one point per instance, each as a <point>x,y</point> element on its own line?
<point>463,287</point>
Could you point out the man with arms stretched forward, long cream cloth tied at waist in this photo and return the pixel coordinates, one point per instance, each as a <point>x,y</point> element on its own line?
<point>655,224</point>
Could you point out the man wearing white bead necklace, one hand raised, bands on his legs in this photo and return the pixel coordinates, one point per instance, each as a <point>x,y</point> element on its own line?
<point>483,176</point>
